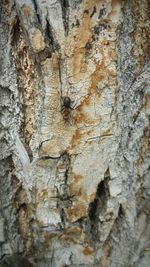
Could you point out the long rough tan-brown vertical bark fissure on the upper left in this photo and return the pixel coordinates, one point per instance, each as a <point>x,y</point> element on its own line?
<point>25,70</point>
